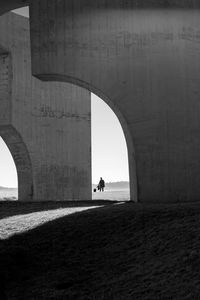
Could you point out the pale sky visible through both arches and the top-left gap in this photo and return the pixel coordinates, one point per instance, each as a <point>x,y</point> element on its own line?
<point>109,151</point>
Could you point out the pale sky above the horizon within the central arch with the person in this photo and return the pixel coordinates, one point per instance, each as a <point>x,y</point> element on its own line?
<point>109,150</point>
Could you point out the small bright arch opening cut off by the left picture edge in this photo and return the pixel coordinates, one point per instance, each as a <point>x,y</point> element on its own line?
<point>8,174</point>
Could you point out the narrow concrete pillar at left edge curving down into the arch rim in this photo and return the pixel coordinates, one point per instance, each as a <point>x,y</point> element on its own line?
<point>9,134</point>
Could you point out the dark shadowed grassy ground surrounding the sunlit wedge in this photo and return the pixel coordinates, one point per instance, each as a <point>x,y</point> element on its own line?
<point>124,251</point>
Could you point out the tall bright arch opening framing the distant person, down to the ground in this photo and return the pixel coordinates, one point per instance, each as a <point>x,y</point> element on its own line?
<point>109,153</point>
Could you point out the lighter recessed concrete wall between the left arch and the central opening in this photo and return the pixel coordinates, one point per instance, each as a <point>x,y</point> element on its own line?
<point>47,126</point>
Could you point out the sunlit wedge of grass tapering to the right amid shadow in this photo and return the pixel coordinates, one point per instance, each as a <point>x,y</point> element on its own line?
<point>22,223</point>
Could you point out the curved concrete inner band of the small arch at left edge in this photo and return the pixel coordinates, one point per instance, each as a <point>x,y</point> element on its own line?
<point>22,161</point>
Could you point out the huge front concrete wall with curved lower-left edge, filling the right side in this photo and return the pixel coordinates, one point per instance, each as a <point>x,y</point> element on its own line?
<point>146,63</point>
